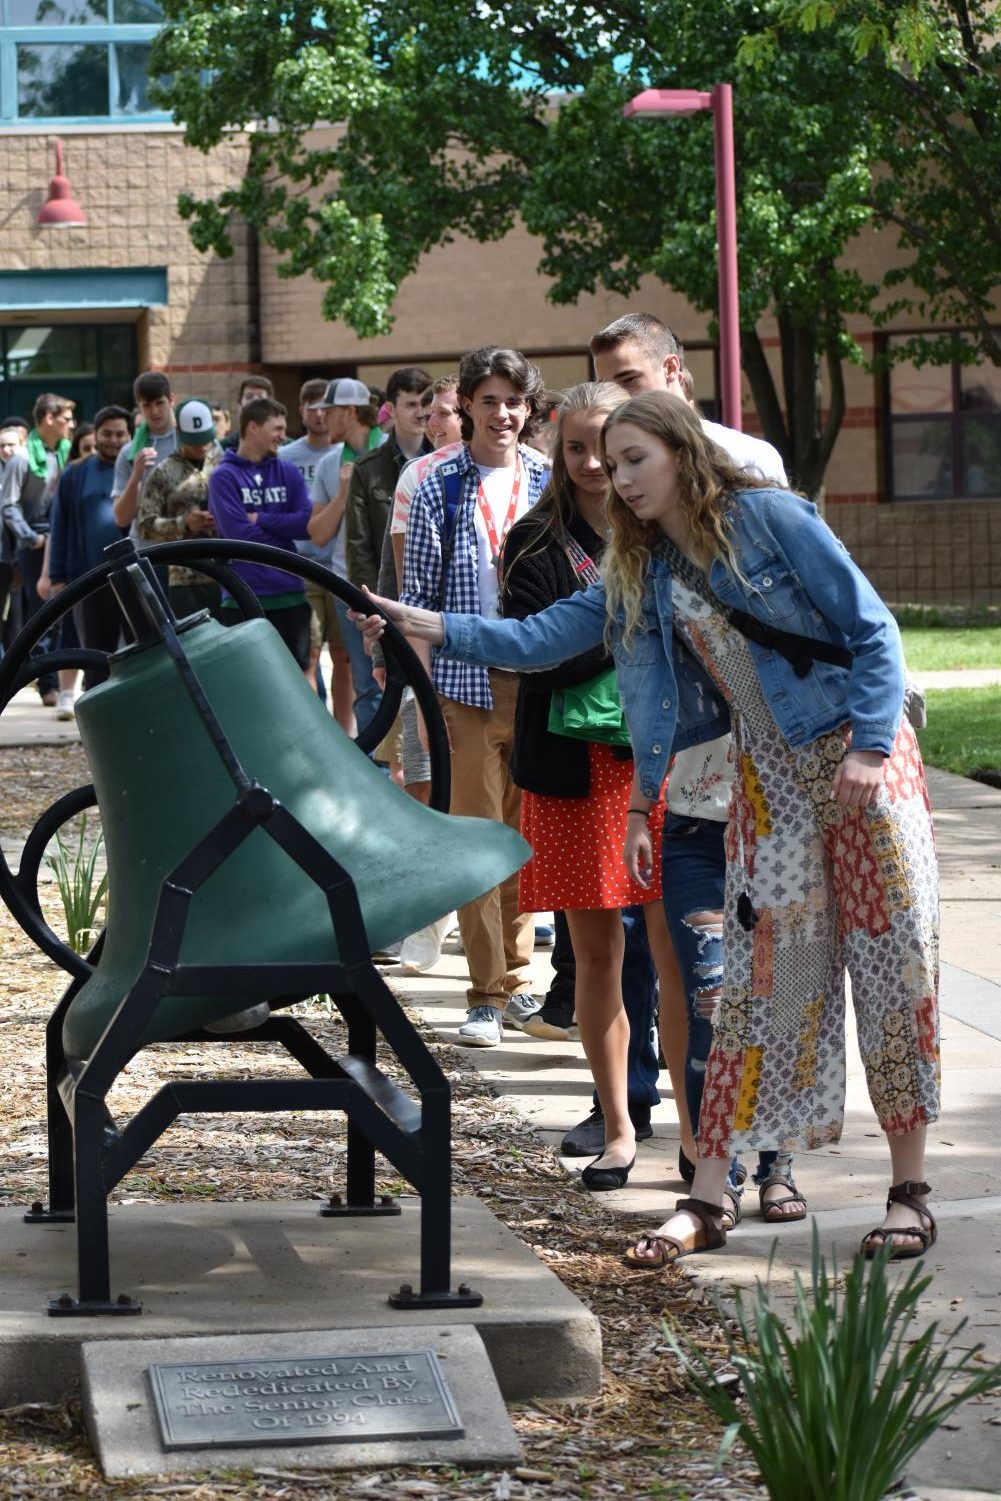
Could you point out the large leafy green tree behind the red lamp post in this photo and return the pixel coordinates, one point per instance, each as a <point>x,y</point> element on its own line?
<point>464,124</point>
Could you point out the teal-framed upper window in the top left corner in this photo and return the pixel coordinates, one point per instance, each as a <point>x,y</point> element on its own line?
<point>77,61</point>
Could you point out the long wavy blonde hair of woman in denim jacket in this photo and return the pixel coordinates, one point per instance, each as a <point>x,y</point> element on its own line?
<point>708,481</point>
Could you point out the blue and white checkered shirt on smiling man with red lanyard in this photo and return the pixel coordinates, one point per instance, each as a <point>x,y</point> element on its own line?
<point>422,564</point>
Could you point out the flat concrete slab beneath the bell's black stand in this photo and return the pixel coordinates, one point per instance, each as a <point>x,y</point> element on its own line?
<point>259,1269</point>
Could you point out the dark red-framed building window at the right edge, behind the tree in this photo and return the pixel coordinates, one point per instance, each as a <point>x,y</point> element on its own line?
<point>945,430</point>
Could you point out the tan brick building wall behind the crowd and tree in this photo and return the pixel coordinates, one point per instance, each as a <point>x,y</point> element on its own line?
<point>224,319</point>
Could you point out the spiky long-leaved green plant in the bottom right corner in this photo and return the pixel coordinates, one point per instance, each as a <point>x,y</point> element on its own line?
<point>834,1407</point>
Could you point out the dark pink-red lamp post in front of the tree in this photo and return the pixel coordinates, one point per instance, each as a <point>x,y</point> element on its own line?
<point>721,101</point>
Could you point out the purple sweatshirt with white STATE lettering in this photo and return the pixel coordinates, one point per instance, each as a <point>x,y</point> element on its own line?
<point>278,493</point>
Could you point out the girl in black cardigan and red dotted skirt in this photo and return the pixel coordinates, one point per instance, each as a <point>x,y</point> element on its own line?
<point>576,795</point>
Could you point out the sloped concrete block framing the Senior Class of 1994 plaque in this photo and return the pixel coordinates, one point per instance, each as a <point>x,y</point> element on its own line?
<point>125,1433</point>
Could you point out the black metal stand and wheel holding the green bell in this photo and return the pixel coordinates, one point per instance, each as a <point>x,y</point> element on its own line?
<point>89,1152</point>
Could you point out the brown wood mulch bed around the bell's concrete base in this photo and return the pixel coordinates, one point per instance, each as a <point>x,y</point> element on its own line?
<point>643,1437</point>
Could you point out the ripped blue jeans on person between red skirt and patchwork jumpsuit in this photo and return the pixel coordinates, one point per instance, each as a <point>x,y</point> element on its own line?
<point>694,879</point>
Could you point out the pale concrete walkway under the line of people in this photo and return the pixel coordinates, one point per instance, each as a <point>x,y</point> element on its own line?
<point>550,1084</point>
